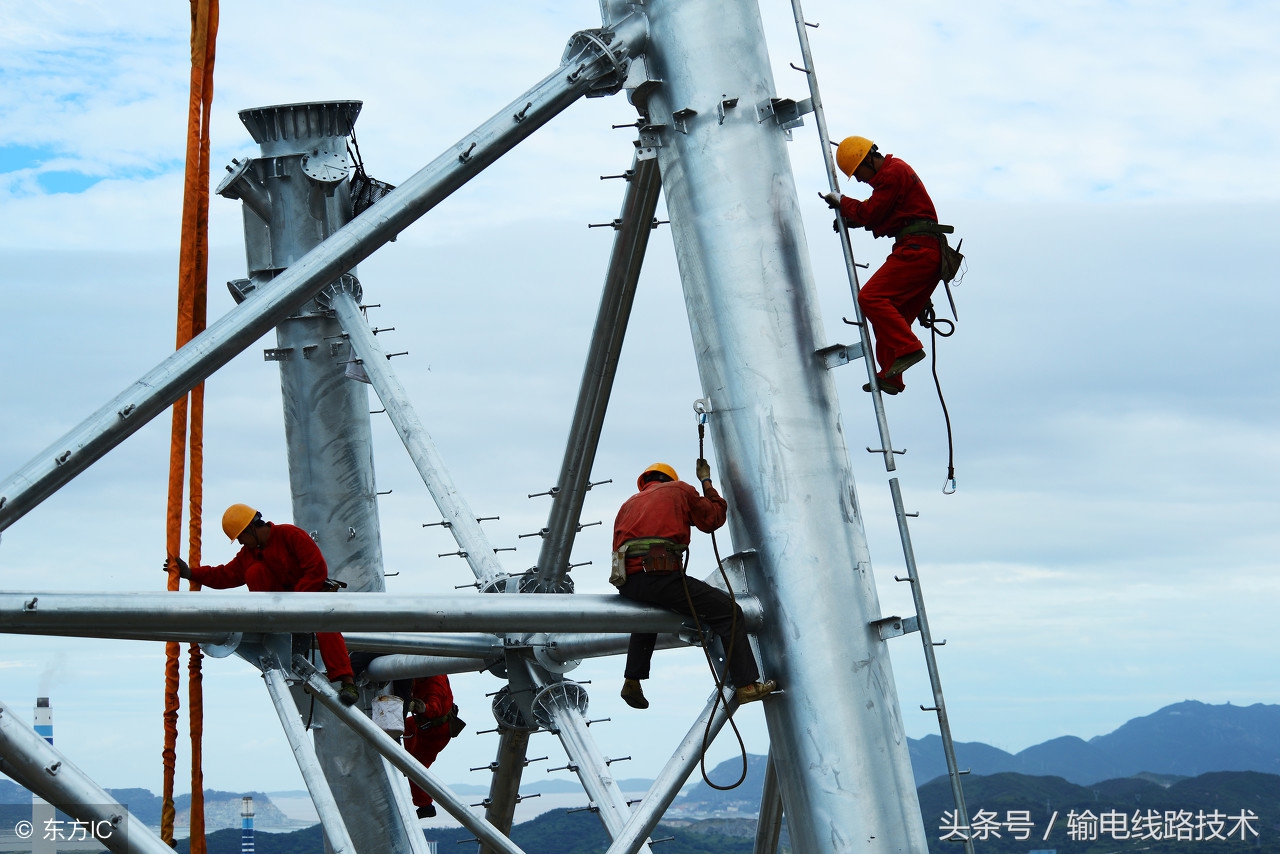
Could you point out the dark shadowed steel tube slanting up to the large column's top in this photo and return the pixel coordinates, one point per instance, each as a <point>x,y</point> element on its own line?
<point>636,223</point>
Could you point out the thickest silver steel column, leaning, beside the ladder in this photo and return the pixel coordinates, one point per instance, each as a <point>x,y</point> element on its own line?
<point>836,732</point>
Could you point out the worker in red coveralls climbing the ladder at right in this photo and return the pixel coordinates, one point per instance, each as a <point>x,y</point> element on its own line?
<point>900,290</point>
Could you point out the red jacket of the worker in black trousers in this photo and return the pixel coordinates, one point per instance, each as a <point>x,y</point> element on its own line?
<point>668,510</point>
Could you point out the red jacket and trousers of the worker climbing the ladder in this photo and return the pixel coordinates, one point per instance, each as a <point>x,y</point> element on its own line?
<point>900,290</point>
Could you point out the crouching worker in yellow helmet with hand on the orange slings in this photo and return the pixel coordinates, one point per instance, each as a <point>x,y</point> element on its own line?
<point>276,559</point>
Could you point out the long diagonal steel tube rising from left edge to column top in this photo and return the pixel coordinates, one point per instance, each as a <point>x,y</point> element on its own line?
<point>304,280</point>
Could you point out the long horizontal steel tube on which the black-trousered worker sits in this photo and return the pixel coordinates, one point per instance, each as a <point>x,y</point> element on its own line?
<point>277,613</point>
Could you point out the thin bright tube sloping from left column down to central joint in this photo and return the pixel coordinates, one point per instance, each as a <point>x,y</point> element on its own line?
<point>431,465</point>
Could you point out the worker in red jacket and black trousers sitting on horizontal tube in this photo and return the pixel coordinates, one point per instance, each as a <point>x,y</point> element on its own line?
<point>651,537</point>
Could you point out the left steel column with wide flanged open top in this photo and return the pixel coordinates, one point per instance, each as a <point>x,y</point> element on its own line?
<point>303,177</point>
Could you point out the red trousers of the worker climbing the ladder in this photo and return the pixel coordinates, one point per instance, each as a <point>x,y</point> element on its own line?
<point>897,295</point>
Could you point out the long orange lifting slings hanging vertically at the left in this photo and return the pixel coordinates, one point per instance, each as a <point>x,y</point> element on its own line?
<point>193,302</point>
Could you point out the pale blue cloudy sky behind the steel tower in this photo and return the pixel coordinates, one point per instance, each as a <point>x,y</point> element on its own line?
<point>1112,168</point>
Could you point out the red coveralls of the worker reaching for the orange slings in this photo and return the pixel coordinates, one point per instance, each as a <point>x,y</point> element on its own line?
<point>291,561</point>
